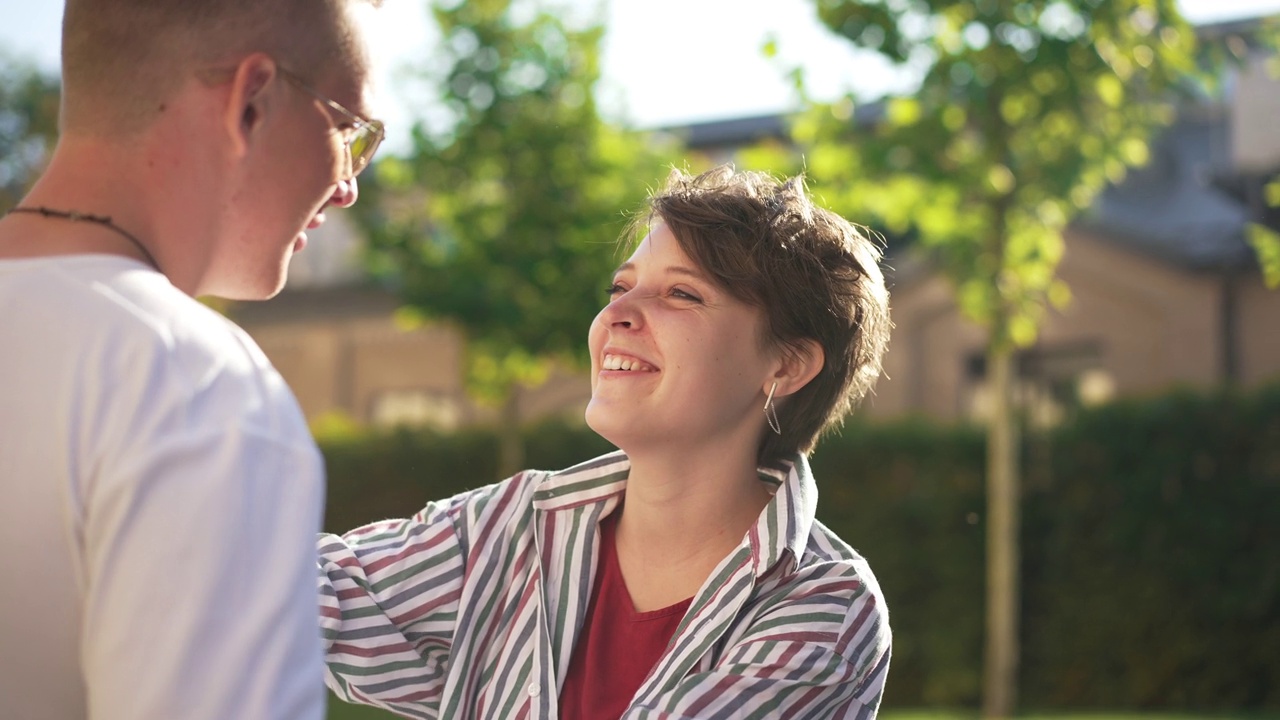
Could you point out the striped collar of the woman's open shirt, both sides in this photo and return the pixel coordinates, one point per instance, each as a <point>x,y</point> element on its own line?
<point>783,530</point>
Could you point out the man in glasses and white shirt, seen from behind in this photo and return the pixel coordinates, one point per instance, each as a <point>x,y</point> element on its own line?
<point>159,490</point>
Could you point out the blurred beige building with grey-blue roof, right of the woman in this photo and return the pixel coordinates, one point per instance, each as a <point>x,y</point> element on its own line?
<point>1165,293</point>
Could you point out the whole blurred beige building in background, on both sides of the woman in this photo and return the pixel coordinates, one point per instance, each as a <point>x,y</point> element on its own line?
<point>1165,293</point>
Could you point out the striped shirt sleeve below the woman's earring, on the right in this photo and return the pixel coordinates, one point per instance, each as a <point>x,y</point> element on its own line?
<point>821,654</point>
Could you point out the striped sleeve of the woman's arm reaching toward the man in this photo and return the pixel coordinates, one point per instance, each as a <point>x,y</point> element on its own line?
<point>390,596</point>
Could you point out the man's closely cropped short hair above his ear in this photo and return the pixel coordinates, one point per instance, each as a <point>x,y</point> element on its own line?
<point>124,60</point>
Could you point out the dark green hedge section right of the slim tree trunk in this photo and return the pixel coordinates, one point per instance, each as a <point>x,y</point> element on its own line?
<point>1154,558</point>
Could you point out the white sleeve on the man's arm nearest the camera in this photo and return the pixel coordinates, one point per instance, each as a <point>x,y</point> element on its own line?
<point>199,578</point>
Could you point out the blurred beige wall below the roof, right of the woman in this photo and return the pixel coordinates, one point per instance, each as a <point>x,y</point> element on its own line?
<point>1154,327</point>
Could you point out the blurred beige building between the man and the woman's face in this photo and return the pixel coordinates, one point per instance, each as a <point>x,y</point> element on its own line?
<point>344,349</point>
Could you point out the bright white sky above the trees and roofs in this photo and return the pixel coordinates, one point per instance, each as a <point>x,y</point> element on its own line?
<point>666,62</point>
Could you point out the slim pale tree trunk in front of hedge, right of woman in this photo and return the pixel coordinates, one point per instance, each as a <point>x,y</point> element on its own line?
<point>1000,695</point>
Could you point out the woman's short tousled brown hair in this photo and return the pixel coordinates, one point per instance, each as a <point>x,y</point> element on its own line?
<point>812,274</point>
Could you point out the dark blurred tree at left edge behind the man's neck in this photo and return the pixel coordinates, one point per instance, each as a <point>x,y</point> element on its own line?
<point>29,127</point>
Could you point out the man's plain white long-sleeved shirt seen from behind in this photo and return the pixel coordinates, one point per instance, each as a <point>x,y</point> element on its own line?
<point>159,502</point>
